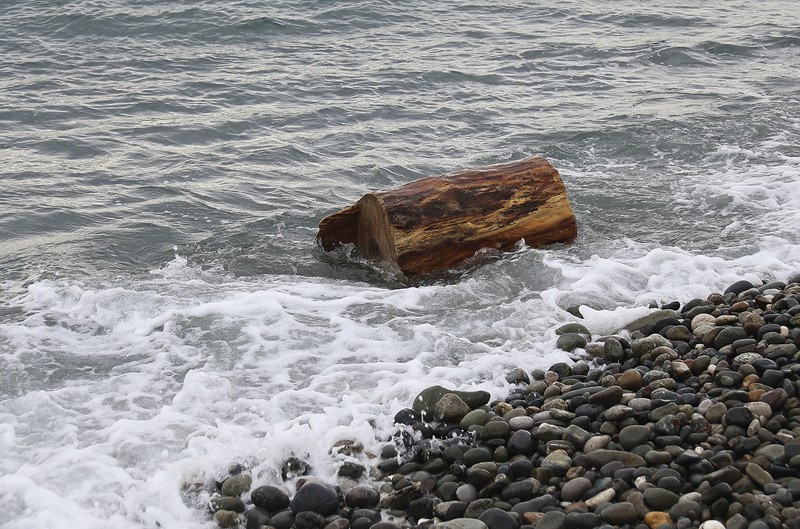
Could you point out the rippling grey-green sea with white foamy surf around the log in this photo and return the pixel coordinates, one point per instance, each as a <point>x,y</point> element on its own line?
<point>165,312</point>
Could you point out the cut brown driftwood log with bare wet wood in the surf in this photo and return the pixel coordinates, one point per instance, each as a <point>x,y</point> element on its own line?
<point>434,223</point>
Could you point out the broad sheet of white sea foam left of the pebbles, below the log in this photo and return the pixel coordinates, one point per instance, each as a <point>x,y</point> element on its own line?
<point>194,375</point>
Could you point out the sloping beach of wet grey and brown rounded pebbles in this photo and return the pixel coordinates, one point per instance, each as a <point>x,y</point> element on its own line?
<point>687,418</point>
